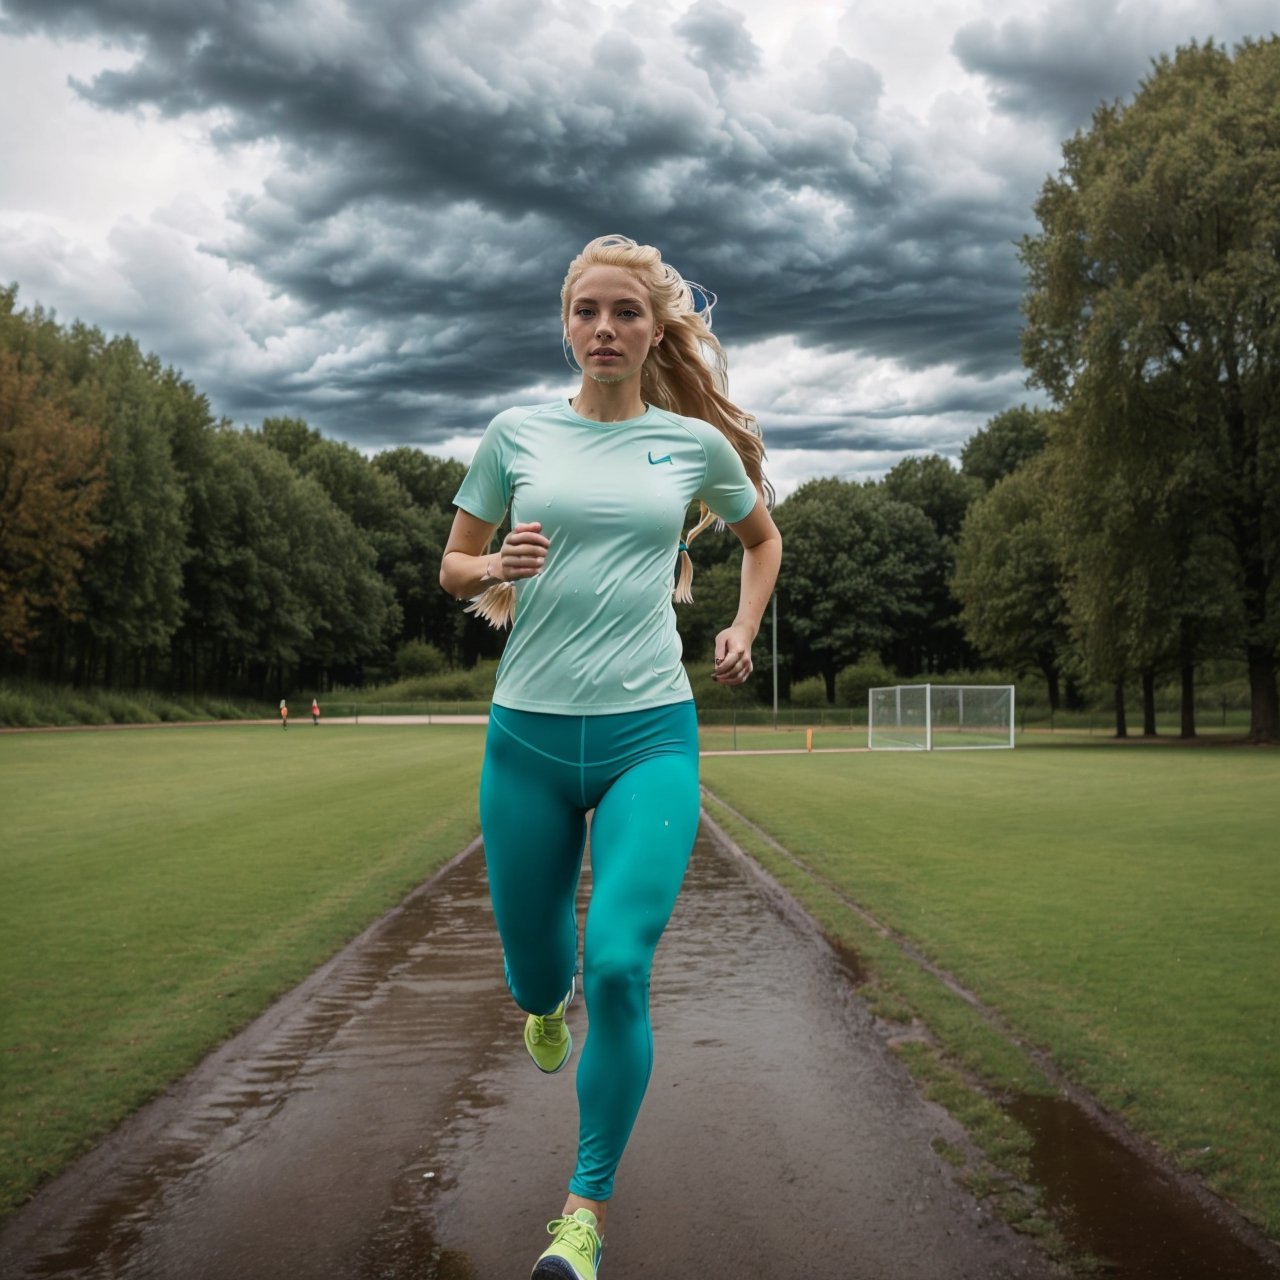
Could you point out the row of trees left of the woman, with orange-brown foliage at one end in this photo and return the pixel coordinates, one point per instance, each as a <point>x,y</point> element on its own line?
<point>145,543</point>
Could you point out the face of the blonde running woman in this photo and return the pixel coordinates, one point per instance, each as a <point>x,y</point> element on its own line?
<point>611,324</point>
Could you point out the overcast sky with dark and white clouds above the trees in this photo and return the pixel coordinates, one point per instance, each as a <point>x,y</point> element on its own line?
<point>360,212</point>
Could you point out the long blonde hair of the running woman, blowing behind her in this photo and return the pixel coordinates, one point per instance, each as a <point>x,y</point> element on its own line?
<point>687,373</point>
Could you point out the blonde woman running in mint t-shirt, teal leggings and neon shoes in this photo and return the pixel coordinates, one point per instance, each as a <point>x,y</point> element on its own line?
<point>592,710</point>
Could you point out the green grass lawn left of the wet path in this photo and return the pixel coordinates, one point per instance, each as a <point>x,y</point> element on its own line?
<point>161,888</point>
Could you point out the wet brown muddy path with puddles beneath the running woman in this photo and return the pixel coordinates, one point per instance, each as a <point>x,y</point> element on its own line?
<point>383,1123</point>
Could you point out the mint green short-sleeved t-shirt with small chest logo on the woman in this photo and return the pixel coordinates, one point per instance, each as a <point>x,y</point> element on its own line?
<point>596,632</point>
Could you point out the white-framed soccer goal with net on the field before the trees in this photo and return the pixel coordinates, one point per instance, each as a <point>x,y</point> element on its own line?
<point>940,717</point>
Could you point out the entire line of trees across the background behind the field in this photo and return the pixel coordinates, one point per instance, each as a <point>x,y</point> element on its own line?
<point>1127,531</point>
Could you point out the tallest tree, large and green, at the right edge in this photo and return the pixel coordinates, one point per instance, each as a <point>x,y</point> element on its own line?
<point>1154,308</point>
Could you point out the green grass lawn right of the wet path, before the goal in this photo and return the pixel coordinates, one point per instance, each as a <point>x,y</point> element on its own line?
<point>1119,906</point>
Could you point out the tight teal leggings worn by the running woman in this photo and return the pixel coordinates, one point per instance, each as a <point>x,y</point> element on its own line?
<point>542,775</point>
